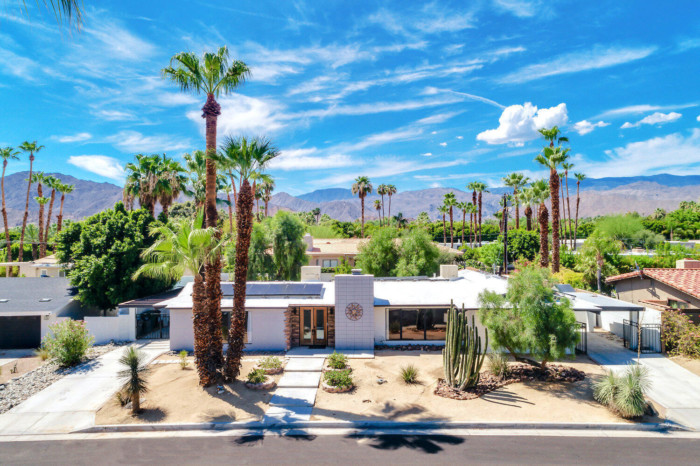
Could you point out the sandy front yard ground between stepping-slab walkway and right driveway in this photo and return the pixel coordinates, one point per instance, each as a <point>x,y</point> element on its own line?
<point>397,401</point>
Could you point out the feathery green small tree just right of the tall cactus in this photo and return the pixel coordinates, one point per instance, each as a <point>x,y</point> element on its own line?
<point>530,317</point>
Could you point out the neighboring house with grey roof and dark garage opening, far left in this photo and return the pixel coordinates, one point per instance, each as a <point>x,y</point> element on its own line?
<point>28,306</point>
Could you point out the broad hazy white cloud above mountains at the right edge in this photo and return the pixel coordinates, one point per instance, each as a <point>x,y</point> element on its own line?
<point>674,154</point>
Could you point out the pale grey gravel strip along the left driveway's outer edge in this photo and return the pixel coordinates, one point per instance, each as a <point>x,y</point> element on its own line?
<point>19,389</point>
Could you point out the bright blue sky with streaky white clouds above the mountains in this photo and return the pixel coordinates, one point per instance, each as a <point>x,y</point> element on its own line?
<point>418,94</point>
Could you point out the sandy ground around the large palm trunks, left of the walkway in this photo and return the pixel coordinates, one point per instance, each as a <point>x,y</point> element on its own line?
<point>175,396</point>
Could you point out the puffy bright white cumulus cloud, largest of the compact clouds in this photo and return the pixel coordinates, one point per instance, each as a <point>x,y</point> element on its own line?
<point>519,123</point>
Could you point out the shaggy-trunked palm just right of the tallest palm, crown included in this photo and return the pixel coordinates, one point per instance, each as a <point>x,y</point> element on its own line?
<point>249,159</point>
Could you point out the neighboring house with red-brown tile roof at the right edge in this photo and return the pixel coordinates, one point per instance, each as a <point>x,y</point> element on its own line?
<point>662,289</point>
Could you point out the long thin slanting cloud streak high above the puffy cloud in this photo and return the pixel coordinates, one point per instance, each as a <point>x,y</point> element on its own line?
<point>596,58</point>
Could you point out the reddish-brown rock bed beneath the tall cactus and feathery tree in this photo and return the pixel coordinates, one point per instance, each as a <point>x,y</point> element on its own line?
<point>518,373</point>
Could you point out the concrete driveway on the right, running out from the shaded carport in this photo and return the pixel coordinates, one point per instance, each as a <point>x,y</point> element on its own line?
<point>676,389</point>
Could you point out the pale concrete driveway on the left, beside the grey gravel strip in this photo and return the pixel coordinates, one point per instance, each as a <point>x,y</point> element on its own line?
<point>71,403</point>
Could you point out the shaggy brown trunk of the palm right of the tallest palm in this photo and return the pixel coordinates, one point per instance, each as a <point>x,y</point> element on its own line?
<point>244,225</point>
